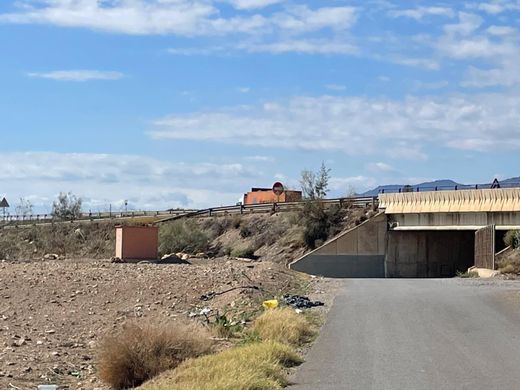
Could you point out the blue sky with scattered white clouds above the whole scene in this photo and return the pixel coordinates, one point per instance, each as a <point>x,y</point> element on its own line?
<point>189,103</point>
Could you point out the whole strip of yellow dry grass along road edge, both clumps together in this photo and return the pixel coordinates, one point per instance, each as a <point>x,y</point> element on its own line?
<point>257,360</point>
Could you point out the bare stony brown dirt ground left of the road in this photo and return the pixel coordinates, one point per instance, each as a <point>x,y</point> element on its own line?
<point>54,313</point>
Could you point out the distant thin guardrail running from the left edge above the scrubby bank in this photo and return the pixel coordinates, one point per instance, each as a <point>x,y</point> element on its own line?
<point>49,218</point>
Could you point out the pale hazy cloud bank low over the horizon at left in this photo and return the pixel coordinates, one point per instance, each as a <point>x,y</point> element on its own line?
<point>102,179</point>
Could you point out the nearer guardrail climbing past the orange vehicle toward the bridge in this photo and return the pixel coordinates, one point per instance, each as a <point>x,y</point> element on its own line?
<point>366,201</point>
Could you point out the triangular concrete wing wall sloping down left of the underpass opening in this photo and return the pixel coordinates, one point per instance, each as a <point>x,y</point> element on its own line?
<point>357,253</point>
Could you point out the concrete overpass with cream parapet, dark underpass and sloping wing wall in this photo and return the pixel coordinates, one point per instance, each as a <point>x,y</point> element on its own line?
<point>421,234</point>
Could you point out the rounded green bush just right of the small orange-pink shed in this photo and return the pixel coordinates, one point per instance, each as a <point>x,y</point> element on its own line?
<point>182,236</point>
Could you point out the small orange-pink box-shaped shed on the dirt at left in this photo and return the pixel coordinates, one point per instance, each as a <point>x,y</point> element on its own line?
<point>137,242</point>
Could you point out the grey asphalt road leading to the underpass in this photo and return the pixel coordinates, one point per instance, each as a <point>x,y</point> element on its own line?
<point>418,334</point>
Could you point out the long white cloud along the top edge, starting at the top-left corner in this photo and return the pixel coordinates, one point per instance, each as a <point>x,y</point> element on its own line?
<point>179,17</point>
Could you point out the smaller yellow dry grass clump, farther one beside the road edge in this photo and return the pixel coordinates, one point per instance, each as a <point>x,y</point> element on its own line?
<point>284,326</point>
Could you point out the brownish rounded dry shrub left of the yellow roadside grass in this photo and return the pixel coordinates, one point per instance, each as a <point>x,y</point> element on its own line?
<point>141,352</point>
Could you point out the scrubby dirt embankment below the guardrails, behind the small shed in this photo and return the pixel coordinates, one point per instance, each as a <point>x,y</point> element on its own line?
<point>277,237</point>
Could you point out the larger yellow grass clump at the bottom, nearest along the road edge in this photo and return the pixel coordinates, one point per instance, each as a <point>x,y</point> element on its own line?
<point>258,366</point>
